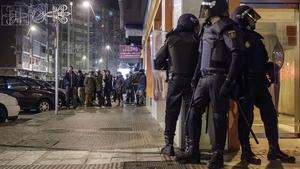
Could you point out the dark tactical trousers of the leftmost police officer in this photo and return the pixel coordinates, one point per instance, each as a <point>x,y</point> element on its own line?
<point>179,89</point>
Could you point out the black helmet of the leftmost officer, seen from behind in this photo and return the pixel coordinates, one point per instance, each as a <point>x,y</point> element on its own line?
<point>188,22</point>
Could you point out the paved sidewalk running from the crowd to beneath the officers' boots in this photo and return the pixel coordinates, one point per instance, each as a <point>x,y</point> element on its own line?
<point>113,138</point>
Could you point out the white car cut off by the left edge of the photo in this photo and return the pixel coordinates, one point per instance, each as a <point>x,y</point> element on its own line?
<point>9,108</point>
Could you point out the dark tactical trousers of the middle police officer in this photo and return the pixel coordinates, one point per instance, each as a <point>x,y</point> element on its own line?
<point>208,91</point>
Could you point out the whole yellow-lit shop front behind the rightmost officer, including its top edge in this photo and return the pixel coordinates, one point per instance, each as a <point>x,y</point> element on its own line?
<point>279,26</point>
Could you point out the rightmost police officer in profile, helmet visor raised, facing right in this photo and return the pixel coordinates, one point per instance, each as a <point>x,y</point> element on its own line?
<point>256,92</point>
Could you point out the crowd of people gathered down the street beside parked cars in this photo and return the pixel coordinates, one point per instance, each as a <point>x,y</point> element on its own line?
<point>101,88</point>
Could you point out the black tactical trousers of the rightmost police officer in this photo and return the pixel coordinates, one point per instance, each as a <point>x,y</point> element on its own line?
<point>258,95</point>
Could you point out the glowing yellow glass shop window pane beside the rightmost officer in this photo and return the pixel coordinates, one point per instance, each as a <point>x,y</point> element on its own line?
<point>279,29</point>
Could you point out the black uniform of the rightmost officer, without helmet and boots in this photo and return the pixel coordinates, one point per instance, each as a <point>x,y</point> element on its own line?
<point>257,92</point>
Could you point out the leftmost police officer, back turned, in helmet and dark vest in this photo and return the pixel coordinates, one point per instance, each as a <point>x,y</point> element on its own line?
<point>179,55</point>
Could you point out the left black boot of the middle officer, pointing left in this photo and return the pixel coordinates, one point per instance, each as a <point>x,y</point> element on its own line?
<point>191,154</point>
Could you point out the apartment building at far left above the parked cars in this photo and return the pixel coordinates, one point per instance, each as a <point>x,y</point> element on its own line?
<point>33,50</point>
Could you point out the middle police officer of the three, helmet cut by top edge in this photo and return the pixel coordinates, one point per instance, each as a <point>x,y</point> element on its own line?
<point>217,68</point>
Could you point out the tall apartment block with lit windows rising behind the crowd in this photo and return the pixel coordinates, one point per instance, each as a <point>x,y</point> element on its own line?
<point>84,39</point>
